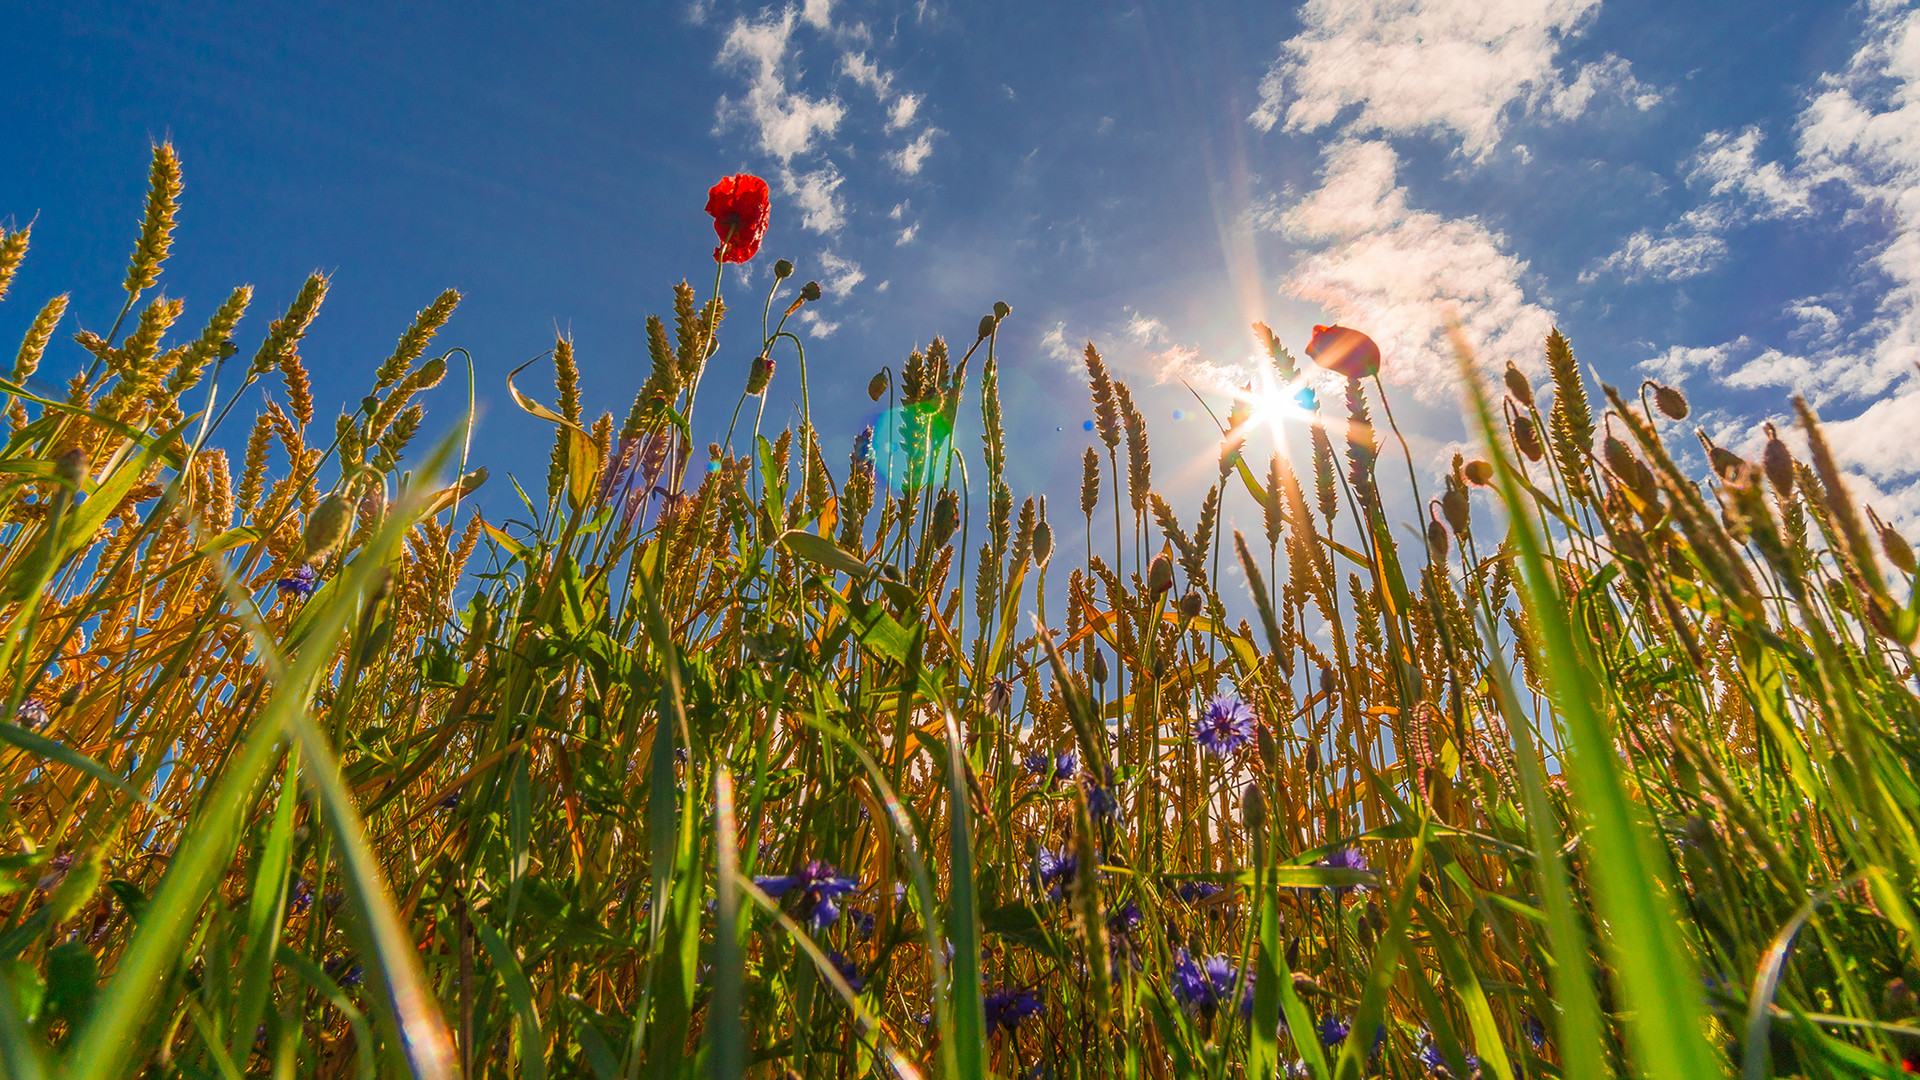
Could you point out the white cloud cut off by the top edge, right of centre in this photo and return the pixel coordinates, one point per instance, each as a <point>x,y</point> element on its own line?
<point>1418,66</point>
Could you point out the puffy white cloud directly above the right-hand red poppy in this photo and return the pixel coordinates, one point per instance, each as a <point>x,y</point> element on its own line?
<point>1404,274</point>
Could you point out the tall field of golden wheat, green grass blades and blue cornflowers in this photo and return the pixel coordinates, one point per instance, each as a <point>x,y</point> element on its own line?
<point>725,762</point>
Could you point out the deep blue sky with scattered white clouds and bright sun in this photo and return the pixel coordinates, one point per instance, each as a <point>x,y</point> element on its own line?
<point>1723,195</point>
